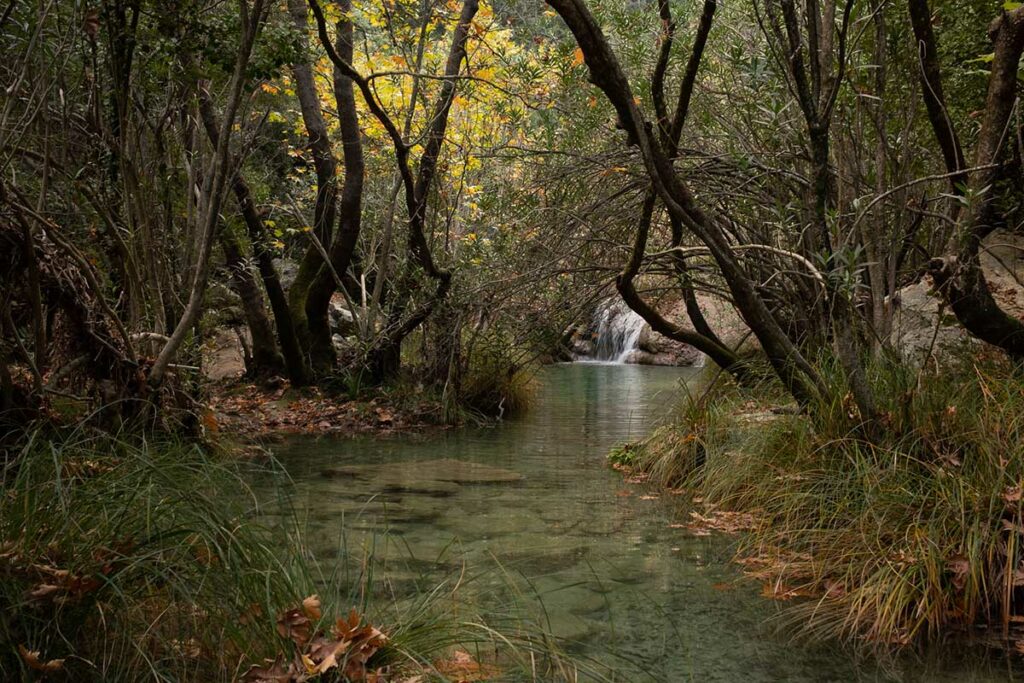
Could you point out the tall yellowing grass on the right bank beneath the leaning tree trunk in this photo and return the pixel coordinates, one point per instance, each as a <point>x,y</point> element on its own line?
<point>898,540</point>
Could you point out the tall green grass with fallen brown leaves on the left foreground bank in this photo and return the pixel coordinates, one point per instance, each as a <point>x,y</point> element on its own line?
<point>139,560</point>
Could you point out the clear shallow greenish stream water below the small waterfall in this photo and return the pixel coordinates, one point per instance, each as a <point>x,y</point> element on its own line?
<point>611,573</point>
